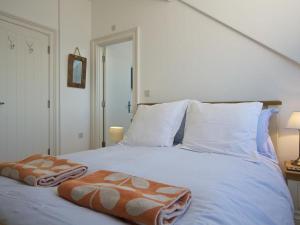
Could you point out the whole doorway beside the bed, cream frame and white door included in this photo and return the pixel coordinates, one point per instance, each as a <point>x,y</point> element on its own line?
<point>114,84</point>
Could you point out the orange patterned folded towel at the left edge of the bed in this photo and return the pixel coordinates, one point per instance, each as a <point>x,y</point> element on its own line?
<point>42,170</point>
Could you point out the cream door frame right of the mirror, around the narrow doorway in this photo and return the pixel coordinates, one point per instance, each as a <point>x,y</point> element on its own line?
<point>97,45</point>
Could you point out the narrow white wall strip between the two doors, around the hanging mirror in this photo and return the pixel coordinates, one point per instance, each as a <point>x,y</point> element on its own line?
<point>75,30</point>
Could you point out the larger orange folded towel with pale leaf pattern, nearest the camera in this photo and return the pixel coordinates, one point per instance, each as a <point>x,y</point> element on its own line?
<point>132,198</point>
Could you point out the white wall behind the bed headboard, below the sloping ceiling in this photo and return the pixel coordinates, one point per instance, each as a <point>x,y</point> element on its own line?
<point>187,55</point>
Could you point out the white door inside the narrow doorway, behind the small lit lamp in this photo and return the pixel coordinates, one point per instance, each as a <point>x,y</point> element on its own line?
<point>118,87</point>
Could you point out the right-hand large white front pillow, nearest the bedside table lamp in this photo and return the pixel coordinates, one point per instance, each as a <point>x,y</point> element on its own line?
<point>223,128</point>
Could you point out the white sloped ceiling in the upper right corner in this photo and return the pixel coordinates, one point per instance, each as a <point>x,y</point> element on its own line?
<point>274,24</point>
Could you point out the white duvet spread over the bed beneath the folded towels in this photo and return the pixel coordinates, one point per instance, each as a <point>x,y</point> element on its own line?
<point>226,190</point>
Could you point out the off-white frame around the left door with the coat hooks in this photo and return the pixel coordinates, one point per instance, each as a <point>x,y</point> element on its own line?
<point>54,118</point>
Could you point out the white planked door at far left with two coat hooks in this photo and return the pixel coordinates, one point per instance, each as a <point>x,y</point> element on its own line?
<point>24,92</point>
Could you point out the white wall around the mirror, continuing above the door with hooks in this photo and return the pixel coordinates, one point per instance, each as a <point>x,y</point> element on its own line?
<point>75,30</point>
